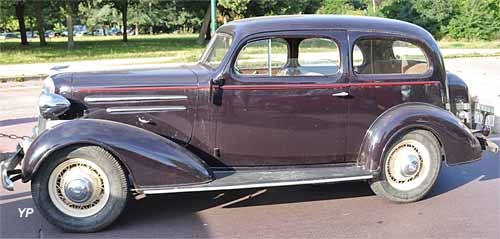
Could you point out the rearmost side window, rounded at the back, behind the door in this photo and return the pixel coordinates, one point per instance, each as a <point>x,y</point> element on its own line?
<point>387,56</point>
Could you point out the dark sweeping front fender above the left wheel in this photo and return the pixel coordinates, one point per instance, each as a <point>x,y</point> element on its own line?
<point>150,159</point>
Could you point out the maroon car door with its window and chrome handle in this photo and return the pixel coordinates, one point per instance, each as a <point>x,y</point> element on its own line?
<point>284,101</point>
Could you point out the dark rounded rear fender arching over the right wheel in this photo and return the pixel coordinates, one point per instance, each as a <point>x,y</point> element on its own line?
<point>457,141</point>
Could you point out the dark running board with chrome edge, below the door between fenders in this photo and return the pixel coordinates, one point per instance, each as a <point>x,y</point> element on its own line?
<point>228,180</point>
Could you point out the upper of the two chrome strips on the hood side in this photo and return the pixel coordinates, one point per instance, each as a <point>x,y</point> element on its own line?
<point>119,98</point>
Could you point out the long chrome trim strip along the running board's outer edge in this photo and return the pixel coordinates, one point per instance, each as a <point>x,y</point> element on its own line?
<point>204,187</point>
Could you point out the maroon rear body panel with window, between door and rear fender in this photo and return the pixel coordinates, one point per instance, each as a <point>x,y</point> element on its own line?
<point>387,70</point>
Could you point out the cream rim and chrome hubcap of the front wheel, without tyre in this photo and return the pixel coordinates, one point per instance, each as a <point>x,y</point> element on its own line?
<point>78,187</point>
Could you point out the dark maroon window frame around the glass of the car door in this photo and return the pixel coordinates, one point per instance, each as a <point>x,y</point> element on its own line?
<point>330,34</point>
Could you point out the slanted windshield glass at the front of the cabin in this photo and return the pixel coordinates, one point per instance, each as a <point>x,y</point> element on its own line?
<point>216,49</point>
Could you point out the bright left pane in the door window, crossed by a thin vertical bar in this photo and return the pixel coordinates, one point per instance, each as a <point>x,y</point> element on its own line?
<point>262,58</point>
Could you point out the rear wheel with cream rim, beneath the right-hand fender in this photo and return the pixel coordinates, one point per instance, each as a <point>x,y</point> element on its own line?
<point>409,168</point>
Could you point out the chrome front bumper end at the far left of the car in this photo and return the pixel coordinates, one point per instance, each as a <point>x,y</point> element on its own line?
<point>8,172</point>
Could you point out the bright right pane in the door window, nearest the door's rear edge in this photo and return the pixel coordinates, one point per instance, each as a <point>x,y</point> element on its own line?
<point>318,56</point>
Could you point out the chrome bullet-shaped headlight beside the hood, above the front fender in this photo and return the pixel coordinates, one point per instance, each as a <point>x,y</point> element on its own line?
<point>52,105</point>
